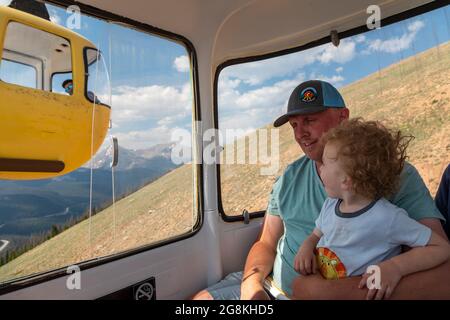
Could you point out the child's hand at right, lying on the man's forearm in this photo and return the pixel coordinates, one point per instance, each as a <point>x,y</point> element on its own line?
<point>389,278</point>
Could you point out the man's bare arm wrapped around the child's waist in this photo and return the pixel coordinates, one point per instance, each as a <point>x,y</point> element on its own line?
<point>429,284</point>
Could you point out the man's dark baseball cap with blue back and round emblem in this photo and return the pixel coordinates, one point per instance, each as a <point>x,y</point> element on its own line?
<point>311,97</point>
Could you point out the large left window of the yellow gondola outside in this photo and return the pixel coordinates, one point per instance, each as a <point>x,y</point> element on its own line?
<point>31,56</point>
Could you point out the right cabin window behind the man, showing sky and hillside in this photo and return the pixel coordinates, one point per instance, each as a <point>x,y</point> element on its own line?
<point>398,74</point>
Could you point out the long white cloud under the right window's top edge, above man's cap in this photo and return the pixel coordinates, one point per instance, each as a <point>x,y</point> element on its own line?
<point>255,73</point>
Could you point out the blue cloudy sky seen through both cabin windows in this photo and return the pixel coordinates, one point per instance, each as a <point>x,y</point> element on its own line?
<point>150,79</point>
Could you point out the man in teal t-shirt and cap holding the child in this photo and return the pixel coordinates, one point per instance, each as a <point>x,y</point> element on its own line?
<point>297,196</point>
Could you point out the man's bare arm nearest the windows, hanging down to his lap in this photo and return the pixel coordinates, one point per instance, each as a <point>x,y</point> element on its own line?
<point>260,259</point>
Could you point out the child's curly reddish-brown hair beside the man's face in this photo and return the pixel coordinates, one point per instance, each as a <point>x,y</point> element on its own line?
<point>372,155</point>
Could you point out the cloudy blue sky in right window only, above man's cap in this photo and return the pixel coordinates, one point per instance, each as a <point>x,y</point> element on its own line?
<point>254,94</point>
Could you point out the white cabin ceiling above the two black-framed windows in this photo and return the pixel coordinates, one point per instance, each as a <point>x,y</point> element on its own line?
<point>229,29</point>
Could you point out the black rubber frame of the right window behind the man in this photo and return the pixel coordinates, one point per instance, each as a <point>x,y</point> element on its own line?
<point>411,13</point>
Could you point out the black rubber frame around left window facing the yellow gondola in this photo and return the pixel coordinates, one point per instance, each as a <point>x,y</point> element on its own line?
<point>108,17</point>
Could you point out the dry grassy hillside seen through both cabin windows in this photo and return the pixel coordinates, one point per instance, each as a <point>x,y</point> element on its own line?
<point>413,95</point>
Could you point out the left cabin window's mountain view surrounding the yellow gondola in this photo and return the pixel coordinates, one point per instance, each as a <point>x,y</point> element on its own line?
<point>149,198</point>
